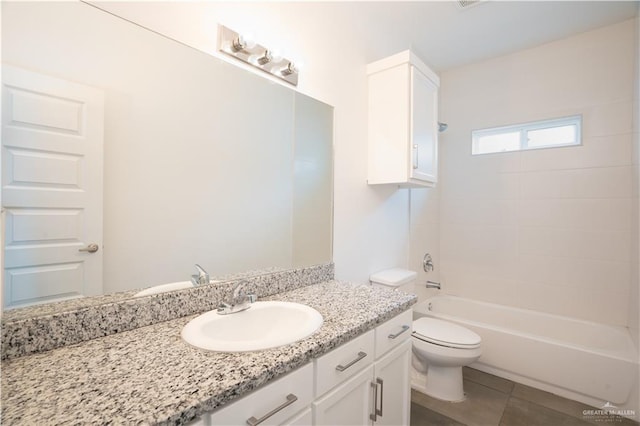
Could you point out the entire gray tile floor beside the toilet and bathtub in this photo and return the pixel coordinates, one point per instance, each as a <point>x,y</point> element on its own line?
<point>494,401</point>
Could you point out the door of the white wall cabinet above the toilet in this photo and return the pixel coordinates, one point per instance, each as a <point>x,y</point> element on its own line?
<point>424,128</point>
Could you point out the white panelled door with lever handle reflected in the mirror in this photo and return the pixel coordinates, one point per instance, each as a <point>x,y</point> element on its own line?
<point>52,137</point>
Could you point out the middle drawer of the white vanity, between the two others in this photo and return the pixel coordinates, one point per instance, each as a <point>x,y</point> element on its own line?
<point>344,362</point>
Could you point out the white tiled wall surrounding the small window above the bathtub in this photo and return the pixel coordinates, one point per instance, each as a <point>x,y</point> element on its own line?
<point>549,229</point>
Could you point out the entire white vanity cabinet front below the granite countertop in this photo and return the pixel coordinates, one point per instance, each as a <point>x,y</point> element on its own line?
<point>365,382</point>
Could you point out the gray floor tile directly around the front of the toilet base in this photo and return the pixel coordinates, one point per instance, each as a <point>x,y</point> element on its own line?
<point>483,406</point>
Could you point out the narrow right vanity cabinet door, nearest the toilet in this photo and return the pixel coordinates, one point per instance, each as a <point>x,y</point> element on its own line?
<point>394,388</point>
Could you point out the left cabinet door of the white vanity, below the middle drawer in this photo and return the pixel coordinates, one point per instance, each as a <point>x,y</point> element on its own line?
<point>348,404</point>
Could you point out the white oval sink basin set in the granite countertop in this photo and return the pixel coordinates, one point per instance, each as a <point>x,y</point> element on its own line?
<point>264,325</point>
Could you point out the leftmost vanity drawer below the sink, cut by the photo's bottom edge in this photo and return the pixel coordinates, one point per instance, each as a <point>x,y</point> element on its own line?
<point>268,398</point>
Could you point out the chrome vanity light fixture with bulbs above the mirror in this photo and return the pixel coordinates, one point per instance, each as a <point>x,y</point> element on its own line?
<point>245,49</point>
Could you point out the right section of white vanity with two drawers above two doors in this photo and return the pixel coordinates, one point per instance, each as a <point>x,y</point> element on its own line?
<point>377,390</point>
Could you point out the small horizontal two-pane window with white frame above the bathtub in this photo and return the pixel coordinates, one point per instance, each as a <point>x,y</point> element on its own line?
<point>535,135</point>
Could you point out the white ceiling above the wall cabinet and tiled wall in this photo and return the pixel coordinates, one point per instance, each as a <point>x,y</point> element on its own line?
<point>450,36</point>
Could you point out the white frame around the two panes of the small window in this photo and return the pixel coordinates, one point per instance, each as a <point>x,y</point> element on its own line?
<point>523,129</point>
